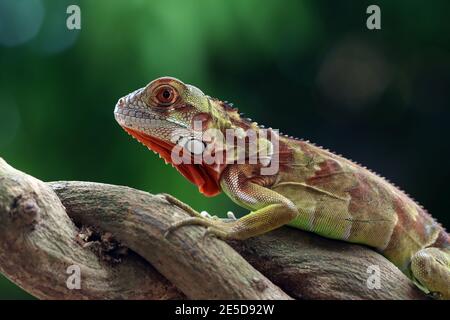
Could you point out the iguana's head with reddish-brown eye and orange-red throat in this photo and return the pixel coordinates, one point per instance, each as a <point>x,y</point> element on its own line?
<point>167,113</point>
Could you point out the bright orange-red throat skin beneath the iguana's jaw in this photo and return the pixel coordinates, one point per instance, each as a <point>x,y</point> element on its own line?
<point>206,177</point>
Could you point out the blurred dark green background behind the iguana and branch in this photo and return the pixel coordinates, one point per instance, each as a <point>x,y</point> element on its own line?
<point>310,68</point>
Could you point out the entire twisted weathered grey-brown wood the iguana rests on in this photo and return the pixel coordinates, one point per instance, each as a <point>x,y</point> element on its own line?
<point>38,242</point>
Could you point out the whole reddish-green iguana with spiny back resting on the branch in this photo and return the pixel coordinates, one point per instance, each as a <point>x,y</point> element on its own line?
<point>312,189</point>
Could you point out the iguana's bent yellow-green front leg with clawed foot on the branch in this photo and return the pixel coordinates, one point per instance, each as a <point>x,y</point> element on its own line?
<point>270,209</point>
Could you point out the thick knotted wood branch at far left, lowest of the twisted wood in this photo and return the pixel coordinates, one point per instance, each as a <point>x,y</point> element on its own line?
<point>38,243</point>
